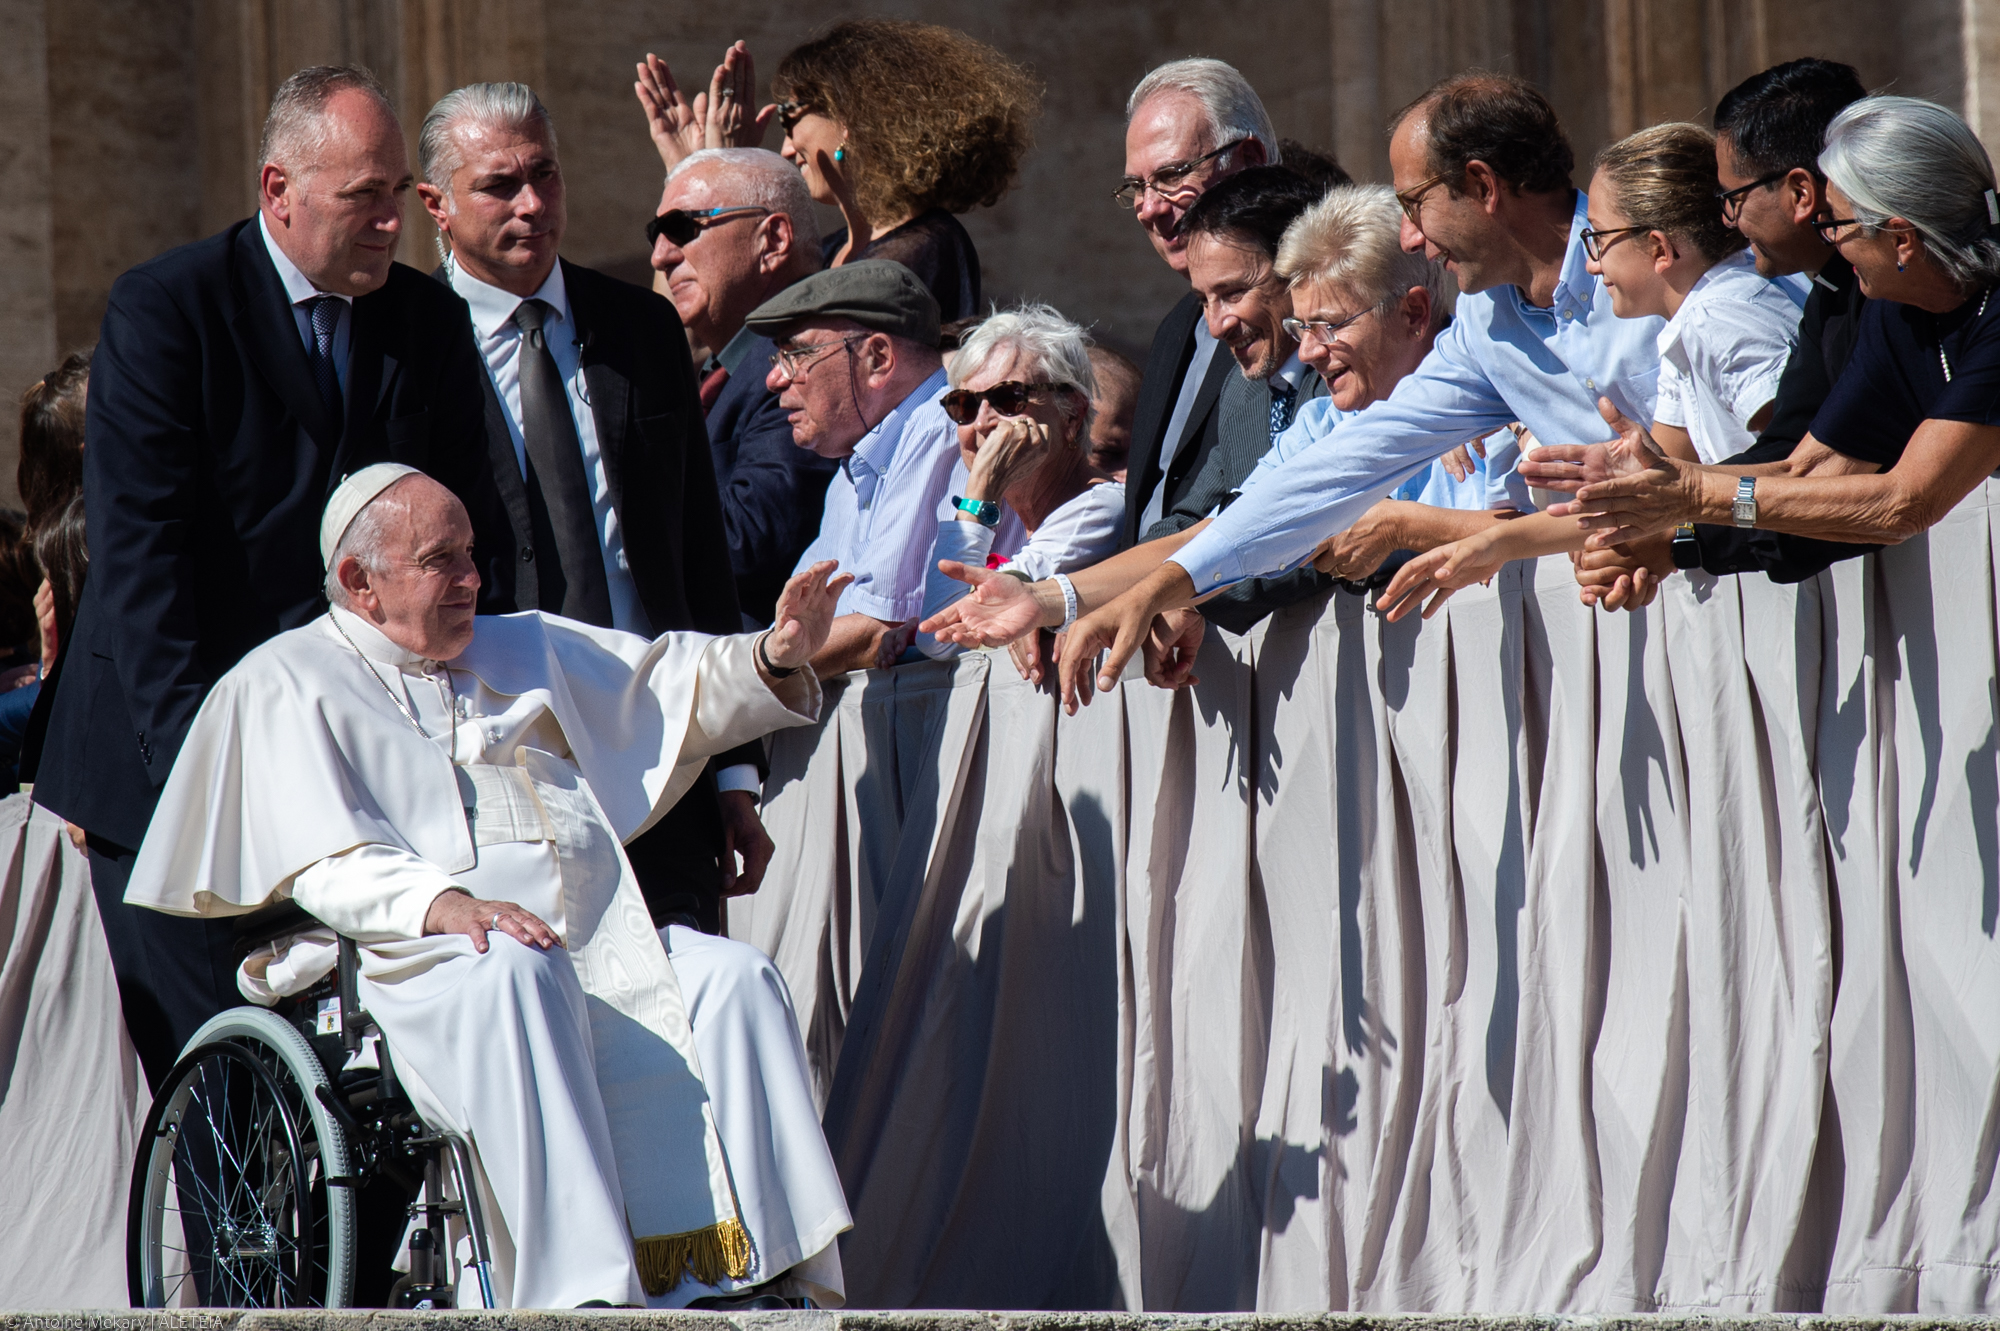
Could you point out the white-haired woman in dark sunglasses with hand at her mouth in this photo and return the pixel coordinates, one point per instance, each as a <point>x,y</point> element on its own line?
<point>1021,397</point>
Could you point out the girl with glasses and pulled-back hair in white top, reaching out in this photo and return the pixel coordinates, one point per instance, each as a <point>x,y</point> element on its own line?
<point>1659,243</point>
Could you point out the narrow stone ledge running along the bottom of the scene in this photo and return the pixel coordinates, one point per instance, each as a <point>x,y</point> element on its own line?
<point>373,1320</point>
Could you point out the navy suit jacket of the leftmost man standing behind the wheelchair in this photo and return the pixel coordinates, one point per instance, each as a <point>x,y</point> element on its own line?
<point>207,467</point>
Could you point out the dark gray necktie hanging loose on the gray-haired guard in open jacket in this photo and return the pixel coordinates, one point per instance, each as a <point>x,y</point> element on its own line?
<point>557,469</point>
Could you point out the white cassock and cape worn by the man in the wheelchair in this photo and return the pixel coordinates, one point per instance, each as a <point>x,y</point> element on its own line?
<point>361,780</point>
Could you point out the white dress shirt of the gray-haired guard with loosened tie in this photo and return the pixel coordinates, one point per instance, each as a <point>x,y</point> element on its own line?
<point>501,343</point>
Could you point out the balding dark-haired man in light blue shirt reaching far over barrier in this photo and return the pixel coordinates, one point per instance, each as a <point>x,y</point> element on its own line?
<point>1483,173</point>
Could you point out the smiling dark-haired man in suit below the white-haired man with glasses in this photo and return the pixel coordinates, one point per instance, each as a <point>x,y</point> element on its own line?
<point>1233,239</point>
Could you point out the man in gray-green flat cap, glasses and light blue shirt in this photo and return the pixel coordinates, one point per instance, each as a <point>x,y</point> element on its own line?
<point>861,377</point>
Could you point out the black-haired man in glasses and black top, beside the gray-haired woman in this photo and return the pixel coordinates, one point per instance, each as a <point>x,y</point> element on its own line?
<point>1769,137</point>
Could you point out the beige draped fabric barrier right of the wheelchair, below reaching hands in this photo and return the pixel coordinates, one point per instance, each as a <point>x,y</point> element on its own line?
<point>1529,958</point>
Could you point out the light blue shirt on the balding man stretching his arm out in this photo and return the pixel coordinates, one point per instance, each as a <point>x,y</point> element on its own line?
<point>1499,363</point>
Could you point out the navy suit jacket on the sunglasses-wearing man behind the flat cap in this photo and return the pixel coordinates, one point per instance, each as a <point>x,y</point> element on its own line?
<point>773,491</point>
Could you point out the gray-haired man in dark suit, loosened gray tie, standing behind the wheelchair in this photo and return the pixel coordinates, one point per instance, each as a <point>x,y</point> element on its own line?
<point>597,451</point>
